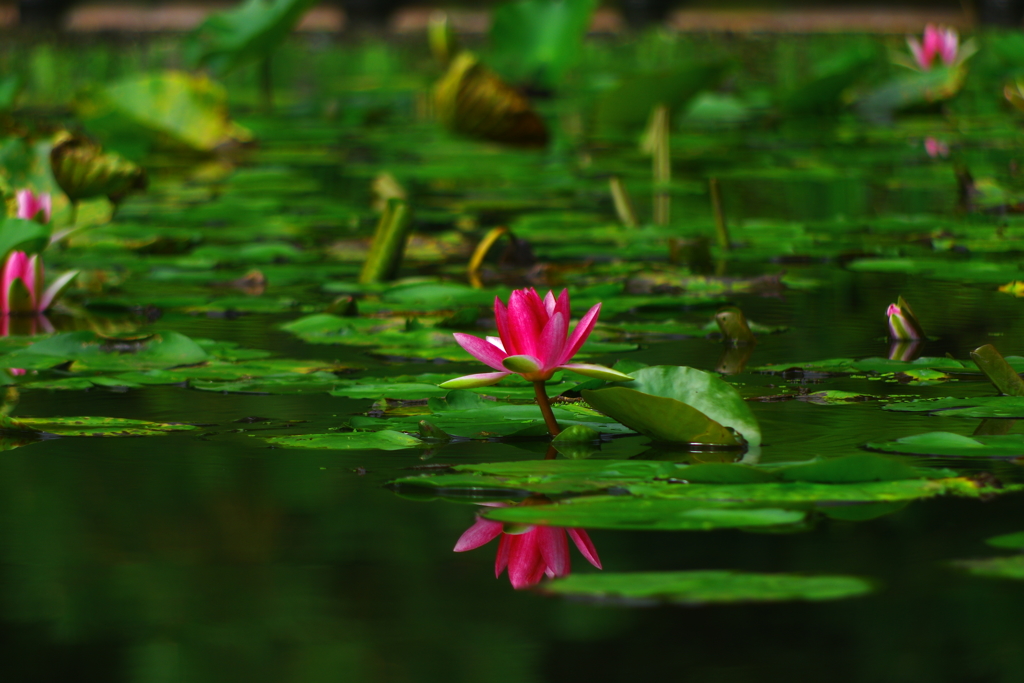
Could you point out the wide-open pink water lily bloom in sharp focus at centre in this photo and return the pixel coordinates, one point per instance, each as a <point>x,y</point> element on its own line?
<point>533,340</point>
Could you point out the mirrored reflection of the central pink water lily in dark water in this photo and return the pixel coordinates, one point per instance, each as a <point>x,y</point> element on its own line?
<point>529,552</point>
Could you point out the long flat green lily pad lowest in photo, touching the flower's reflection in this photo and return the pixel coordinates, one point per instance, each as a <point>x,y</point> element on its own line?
<point>708,587</point>
